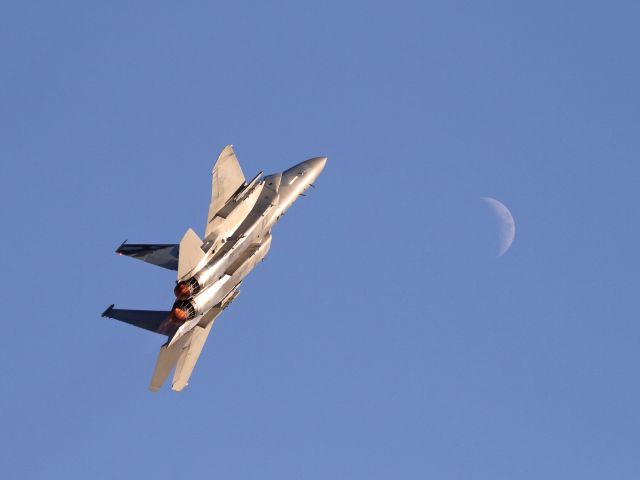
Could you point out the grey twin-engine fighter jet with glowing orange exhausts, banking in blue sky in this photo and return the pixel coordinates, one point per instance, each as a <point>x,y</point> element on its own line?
<point>237,237</point>
